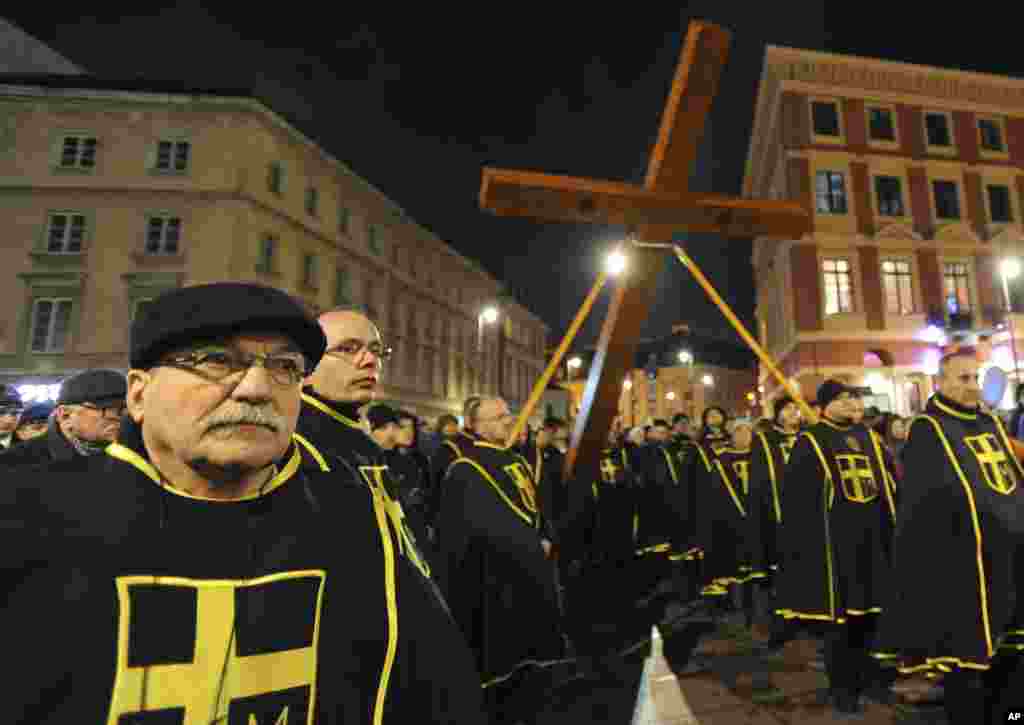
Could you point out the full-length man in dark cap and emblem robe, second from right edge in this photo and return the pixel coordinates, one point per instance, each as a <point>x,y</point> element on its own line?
<point>839,520</point>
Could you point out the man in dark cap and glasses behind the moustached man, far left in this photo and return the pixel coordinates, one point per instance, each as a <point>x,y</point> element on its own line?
<point>87,421</point>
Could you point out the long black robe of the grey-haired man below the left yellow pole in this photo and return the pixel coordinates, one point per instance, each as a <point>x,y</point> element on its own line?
<point>494,573</point>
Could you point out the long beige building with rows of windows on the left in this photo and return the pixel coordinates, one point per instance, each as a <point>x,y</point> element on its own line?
<point>110,196</point>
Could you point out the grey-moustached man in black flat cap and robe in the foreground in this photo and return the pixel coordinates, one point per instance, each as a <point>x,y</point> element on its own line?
<point>211,579</point>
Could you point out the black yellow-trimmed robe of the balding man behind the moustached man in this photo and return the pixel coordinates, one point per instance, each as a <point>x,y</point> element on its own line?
<point>332,439</point>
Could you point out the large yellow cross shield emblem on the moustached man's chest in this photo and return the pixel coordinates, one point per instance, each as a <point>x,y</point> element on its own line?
<point>202,649</point>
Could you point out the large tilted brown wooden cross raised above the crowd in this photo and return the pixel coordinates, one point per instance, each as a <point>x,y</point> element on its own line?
<point>657,212</point>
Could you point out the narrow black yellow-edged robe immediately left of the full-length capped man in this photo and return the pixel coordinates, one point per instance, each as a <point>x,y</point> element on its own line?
<point>770,455</point>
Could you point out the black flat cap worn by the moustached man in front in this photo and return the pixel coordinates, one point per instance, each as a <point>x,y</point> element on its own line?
<point>218,311</point>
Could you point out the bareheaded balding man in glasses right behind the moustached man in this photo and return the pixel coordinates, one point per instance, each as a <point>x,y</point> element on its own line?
<point>330,428</point>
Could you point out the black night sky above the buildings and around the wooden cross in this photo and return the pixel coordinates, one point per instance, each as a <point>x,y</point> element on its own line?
<point>418,100</point>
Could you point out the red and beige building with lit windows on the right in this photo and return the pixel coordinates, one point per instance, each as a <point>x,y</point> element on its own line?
<point>916,179</point>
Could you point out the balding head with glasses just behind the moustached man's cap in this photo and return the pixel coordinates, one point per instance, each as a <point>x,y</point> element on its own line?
<point>351,370</point>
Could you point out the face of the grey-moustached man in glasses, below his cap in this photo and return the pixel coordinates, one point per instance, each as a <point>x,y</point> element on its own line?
<point>202,416</point>
